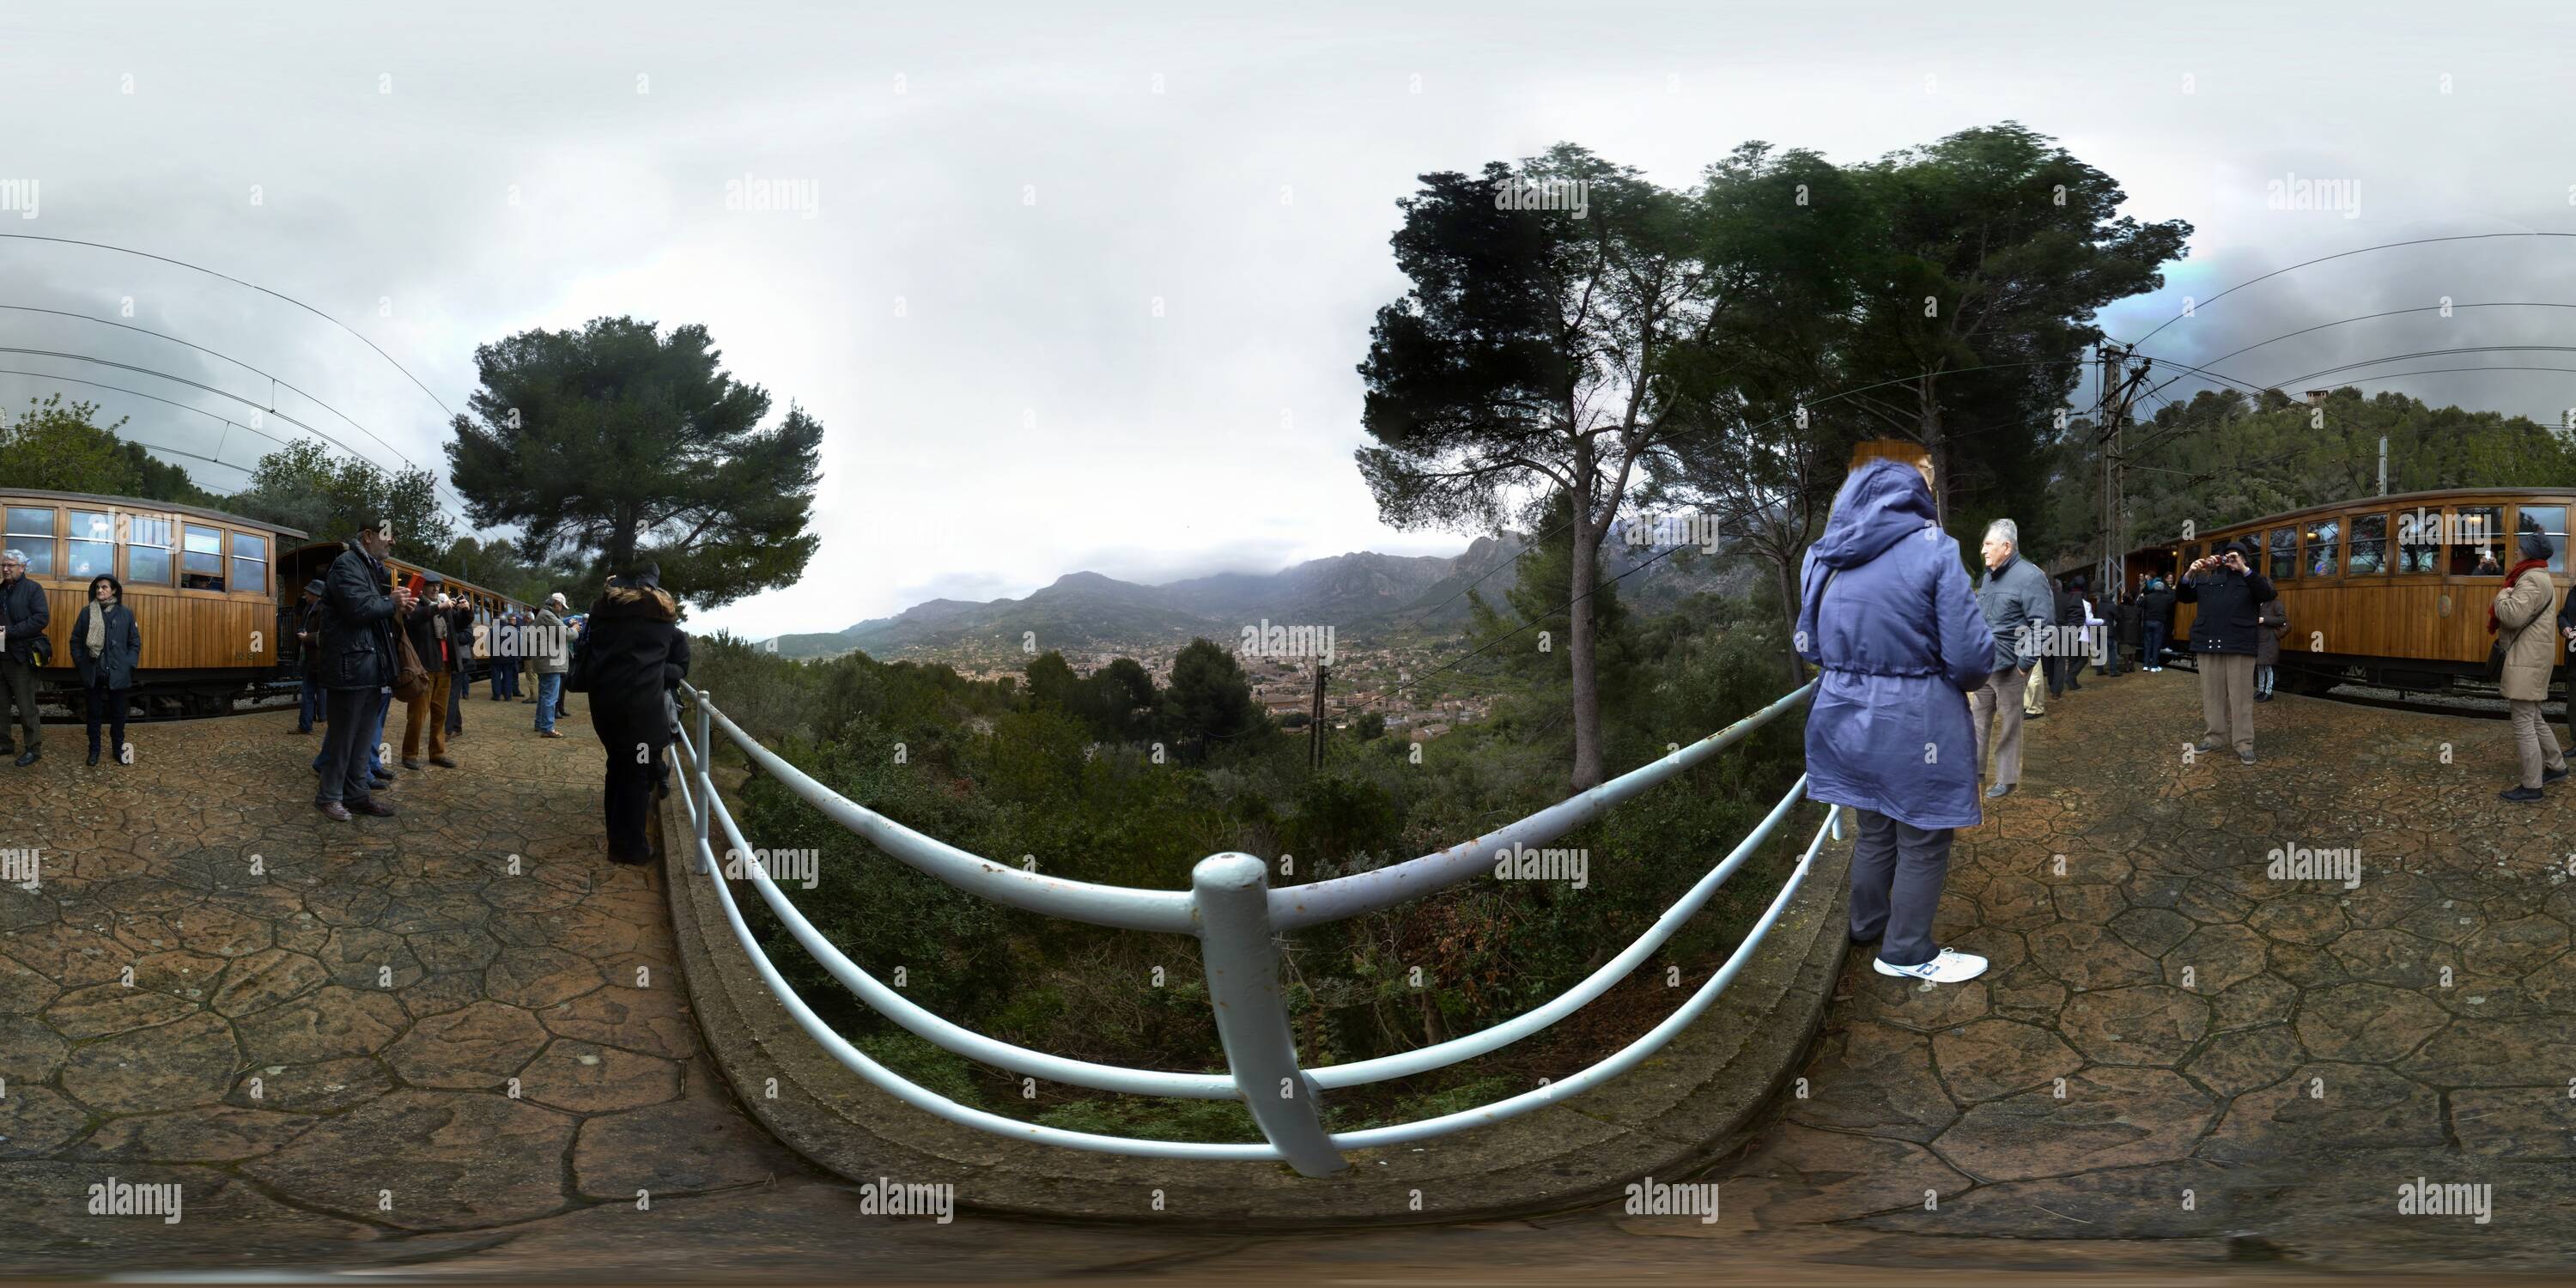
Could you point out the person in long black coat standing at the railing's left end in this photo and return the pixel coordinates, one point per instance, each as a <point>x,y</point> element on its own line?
<point>632,658</point>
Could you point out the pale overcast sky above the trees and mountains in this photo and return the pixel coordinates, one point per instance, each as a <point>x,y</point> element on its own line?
<point>1086,290</point>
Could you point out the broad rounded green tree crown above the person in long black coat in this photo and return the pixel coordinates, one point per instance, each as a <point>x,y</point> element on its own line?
<point>627,447</point>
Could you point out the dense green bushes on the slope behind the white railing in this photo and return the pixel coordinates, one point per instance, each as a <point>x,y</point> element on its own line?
<point>1024,777</point>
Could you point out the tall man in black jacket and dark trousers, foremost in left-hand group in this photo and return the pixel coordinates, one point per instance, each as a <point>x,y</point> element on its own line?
<point>357,668</point>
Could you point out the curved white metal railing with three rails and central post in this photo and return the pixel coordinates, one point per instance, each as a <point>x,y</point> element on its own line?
<point>1235,916</point>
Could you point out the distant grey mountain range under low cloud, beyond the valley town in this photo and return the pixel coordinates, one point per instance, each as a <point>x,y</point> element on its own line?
<point>1351,594</point>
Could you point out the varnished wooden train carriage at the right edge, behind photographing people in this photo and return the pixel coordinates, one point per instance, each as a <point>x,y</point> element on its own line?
<point>2392,591</point>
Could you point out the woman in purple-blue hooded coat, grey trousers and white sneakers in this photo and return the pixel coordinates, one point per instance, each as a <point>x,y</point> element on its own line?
<point>1889,614</point>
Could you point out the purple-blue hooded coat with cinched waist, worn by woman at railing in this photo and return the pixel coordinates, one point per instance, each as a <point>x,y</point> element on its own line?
<point>1902,643</point>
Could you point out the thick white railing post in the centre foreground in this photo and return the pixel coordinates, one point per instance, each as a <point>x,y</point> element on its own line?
<point>1245,990</point>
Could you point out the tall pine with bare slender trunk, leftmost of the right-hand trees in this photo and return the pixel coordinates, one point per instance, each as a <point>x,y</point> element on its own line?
<point>1521,362</point>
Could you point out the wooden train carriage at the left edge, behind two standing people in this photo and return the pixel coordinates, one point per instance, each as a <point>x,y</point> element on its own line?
<point>202,583</point>
